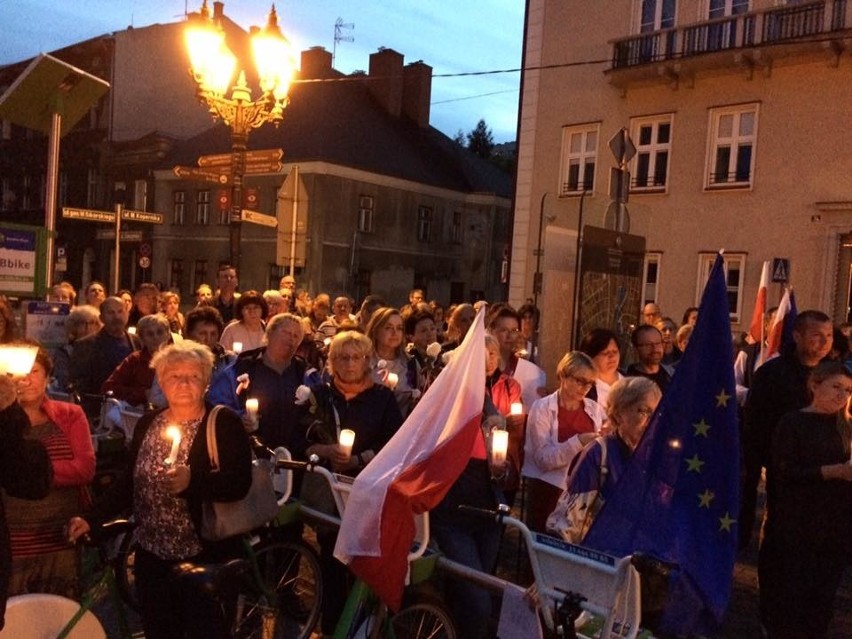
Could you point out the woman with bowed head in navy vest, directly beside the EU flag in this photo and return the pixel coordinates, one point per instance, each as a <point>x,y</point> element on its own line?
<point>632,401</point>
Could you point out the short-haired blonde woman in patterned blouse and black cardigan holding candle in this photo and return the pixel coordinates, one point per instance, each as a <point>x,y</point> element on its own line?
<point>166,499</point>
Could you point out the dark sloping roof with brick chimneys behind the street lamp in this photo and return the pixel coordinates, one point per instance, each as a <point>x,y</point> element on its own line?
<point>340,122</point>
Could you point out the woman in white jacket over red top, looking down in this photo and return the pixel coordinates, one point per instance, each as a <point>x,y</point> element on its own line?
<point>558,427</point>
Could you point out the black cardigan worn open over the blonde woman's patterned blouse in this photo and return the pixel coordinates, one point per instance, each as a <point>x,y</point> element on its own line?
<point>230,483</point>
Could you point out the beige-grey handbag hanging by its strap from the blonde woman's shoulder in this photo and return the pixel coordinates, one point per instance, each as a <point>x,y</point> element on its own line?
<point>222,519</point>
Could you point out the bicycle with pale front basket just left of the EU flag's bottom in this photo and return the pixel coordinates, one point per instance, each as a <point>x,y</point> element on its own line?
<point>579,592</point>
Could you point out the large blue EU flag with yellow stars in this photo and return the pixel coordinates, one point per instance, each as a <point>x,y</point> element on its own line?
<point>678,497</point>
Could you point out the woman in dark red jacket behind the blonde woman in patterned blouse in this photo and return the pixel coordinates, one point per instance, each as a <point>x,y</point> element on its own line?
<point>133,378</point>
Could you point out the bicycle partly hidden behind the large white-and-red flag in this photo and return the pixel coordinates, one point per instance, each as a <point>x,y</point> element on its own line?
<point>364,615</point>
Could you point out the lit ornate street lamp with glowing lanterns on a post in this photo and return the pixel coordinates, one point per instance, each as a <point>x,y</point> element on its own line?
<point>213,66</point>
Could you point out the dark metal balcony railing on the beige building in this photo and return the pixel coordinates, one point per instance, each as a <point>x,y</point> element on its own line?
<point>770,26</point>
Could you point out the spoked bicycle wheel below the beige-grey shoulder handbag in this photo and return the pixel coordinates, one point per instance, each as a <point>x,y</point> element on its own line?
<point>291,575</point>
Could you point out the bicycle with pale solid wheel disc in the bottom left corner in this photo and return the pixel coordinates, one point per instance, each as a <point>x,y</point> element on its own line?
<point>44,615</point>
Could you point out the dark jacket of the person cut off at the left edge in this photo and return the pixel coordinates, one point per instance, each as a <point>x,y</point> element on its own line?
<point>25,472</point>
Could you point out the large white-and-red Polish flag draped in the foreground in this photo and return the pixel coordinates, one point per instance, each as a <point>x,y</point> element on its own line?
<point>414,471</point>
